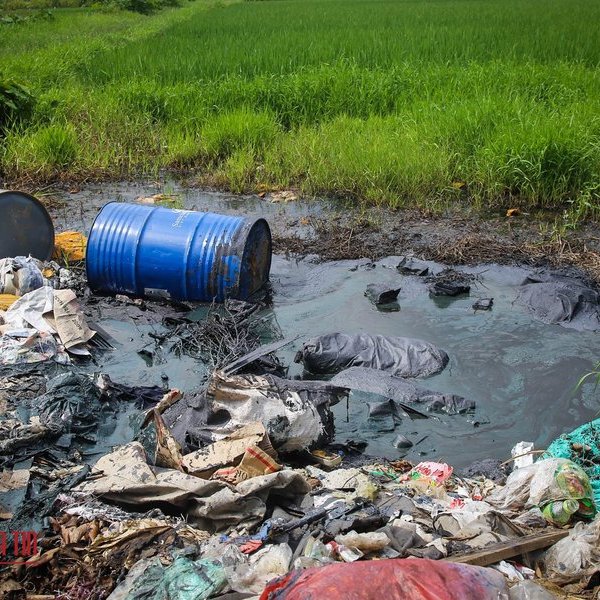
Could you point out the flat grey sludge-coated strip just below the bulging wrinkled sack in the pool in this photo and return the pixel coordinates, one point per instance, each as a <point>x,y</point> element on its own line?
<point>398,389</point>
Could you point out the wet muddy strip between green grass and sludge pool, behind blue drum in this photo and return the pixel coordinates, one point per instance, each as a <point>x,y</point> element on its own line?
<point>335,230</point>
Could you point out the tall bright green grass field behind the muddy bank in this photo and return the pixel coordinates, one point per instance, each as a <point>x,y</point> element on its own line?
<point>391,101</point>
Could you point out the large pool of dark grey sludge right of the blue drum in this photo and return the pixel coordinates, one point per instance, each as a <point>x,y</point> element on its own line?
<point>521,373</point>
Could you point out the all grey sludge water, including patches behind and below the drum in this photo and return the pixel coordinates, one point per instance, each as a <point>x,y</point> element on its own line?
<point>521,373</point>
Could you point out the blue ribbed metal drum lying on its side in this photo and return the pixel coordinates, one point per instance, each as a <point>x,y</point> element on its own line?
<point>135,249</point>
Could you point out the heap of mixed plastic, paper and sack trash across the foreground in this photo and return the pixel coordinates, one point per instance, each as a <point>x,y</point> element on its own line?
<point>239,489</point>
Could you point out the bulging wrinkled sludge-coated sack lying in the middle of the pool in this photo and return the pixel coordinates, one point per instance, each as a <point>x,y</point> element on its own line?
<point>403,357</point>
